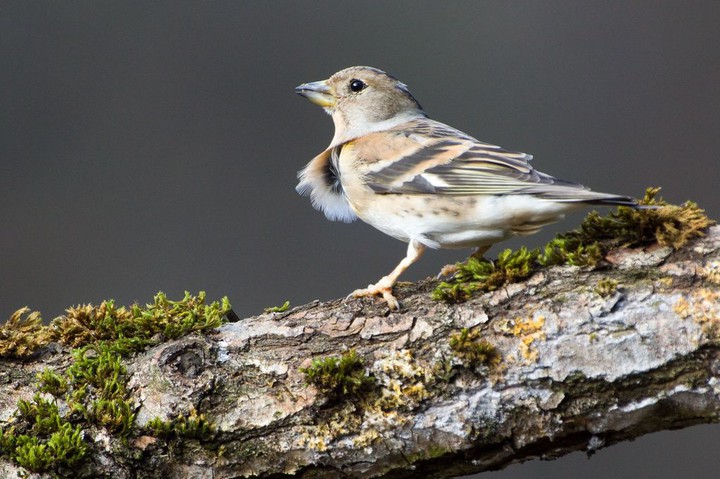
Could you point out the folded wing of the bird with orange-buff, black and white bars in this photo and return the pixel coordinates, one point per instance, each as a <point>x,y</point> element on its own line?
<point>428,157</point>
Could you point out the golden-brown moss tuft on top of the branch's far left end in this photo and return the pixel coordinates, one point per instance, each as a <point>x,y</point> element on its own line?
<point>22,334</point>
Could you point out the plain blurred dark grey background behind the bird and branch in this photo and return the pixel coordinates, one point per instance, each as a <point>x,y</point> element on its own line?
<point>150,146</point>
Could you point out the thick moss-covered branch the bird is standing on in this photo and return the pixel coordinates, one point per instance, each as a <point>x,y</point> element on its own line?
<point>609,332</point>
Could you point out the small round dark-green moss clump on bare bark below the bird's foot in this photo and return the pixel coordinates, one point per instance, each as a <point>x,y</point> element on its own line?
<point>339,377</point>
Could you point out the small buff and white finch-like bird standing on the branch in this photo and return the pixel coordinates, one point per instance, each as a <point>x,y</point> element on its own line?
<point>422,181</point>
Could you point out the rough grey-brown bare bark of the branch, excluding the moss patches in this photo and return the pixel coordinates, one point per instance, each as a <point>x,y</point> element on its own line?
<point>578,370</point>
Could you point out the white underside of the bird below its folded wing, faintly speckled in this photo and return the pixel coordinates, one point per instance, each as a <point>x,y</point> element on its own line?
<point>460,221</point>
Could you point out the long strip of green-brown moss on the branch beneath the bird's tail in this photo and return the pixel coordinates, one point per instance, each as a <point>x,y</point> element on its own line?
<point>653,221</point>
